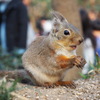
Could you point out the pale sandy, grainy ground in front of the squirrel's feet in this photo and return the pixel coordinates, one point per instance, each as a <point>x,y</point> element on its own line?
<point>85,90</point>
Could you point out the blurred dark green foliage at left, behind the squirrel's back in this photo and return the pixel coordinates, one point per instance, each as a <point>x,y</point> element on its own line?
<point>10,61</point>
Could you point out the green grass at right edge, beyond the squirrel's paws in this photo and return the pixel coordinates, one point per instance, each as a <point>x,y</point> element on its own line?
<point>94,69</point>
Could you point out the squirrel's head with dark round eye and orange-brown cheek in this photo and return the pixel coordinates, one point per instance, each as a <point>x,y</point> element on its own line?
<point>64,34</point>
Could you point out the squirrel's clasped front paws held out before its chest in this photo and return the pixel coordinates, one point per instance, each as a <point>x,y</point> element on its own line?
<point>79,61</point>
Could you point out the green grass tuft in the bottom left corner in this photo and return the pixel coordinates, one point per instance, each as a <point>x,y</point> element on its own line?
<point>5,91</point>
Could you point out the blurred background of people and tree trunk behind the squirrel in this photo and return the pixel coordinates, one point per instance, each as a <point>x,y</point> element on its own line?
<point>21,21</point>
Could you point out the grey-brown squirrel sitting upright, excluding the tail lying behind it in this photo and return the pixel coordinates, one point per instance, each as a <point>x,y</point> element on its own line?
<point>49,58</point>
